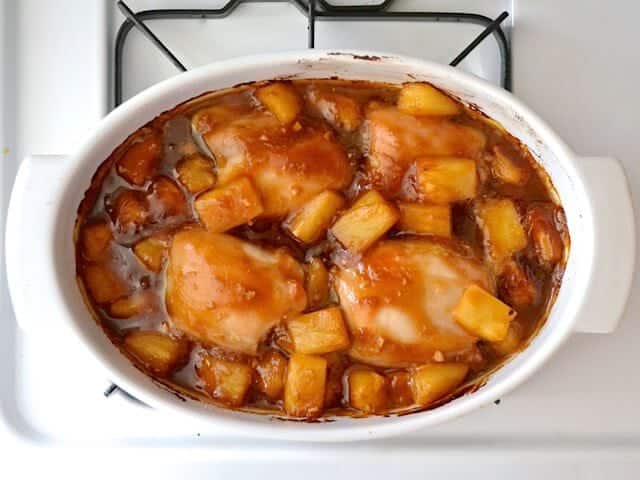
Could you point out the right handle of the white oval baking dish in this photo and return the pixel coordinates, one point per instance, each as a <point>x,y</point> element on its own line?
<point>614,244</point>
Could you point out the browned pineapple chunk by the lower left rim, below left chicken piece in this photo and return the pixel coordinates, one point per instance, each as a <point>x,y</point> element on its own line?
<point>160,353</point>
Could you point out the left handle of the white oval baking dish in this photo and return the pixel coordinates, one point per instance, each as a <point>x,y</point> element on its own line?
<point>27,242</point>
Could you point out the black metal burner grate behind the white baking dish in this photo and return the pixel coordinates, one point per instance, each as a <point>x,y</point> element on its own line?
<point>314,11</point>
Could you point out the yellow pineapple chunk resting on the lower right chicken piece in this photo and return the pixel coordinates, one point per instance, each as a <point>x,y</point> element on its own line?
<point>483,315</point>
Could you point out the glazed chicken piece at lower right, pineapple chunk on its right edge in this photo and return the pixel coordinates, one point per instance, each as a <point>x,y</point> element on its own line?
<point>398,300</point>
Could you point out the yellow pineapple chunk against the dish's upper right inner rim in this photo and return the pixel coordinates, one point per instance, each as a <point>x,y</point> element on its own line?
<point>424,99</point>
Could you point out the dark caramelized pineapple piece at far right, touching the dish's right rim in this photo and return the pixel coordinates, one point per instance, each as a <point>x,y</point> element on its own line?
<point>547,243</point>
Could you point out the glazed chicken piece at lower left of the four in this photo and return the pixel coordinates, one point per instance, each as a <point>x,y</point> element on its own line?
<point>224,291</point>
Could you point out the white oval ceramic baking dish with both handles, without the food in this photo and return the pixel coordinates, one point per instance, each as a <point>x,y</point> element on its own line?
<point>593,191</point>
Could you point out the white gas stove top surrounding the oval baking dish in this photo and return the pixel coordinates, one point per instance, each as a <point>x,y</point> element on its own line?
<point>584,401</point>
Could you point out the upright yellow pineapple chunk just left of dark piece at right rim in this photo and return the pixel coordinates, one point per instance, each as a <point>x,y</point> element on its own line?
<point>503,232</point>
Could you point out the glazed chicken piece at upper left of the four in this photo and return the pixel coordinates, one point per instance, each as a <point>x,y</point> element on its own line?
<point>288,164</point>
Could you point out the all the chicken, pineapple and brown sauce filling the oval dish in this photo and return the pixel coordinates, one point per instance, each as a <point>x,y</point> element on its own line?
<point>320,247</point>
